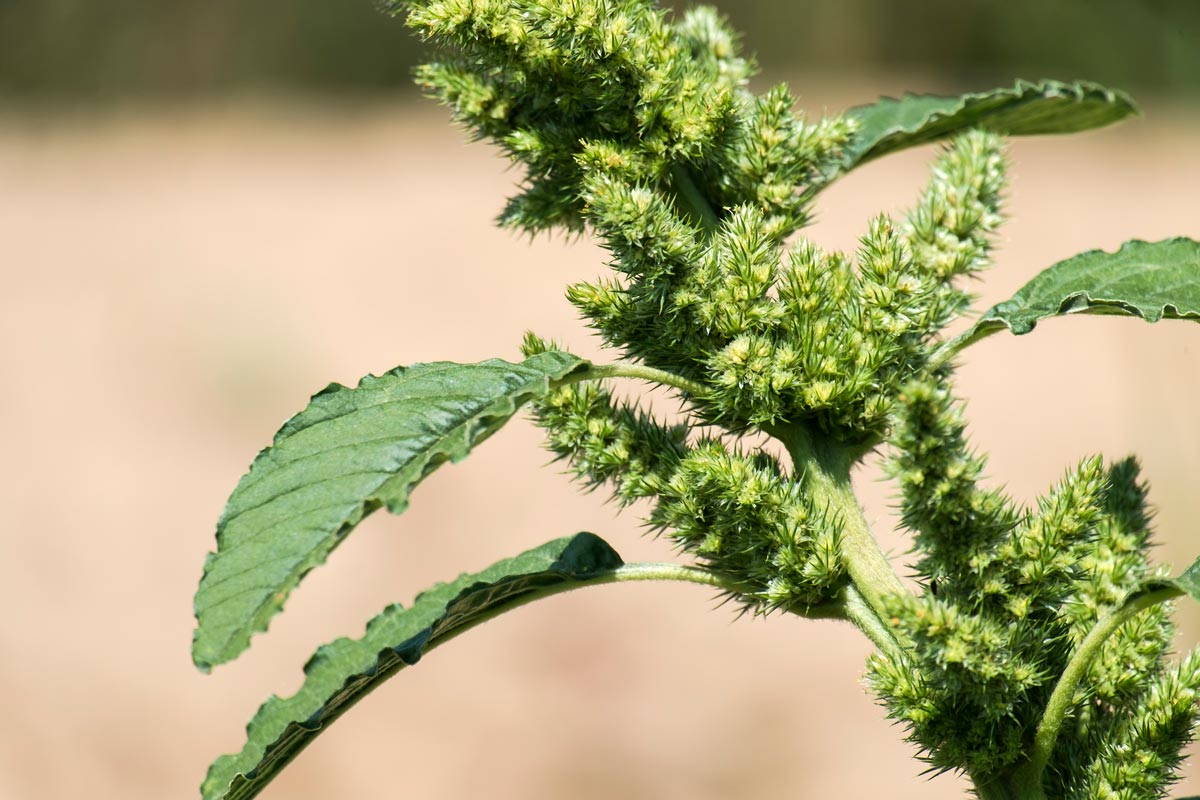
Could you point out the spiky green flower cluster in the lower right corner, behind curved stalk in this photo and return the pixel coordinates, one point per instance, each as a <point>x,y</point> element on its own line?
<point>1010,597</point>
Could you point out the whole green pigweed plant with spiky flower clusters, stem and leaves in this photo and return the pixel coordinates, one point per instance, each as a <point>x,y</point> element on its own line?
<point>1033,655</point>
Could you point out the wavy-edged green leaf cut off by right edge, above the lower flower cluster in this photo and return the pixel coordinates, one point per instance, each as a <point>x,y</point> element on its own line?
<point>1149,280</point>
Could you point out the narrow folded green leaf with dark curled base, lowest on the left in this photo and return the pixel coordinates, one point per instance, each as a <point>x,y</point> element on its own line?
<point>341,673</point>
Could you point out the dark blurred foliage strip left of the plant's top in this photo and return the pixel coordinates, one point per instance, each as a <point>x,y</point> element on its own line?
<point>81,49</point>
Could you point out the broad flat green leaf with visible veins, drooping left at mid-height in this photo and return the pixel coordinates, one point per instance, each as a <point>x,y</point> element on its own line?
<point>350,453</point>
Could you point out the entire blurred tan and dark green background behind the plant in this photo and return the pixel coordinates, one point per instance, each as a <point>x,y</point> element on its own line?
<point>211,210</point>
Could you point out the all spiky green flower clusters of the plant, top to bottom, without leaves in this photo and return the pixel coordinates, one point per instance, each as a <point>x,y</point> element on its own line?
<point>641,129</point>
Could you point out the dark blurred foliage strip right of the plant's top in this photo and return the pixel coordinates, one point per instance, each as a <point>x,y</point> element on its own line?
<point>1138,45</point>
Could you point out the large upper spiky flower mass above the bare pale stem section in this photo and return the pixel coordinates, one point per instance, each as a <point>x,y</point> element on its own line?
<point>644,130</point>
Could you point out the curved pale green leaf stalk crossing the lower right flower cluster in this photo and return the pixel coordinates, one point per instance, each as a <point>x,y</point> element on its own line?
<point>1029,778</point>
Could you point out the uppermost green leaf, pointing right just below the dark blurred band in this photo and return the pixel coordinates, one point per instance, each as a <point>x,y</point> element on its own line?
<point>1025,110</point>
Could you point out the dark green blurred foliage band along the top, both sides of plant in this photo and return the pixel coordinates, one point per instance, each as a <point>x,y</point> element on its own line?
<point>73,50</point>
